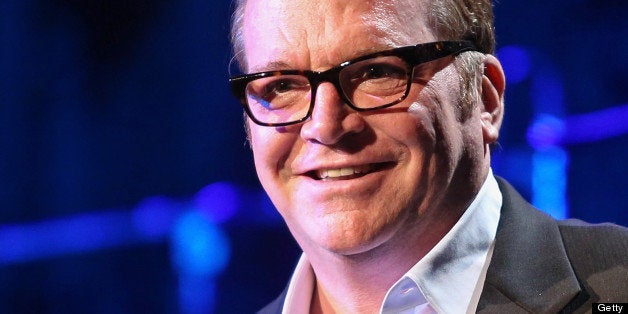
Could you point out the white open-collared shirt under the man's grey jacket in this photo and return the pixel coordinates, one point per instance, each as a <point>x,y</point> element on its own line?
<point>448,279</point>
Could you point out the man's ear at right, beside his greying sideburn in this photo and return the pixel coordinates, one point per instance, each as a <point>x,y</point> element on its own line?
<point>493,87</point>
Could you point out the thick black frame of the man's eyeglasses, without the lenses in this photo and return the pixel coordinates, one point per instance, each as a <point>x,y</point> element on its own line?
<point>413,55</point>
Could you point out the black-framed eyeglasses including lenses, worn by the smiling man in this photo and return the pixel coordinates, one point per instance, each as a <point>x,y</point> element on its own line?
<point>370,82</point>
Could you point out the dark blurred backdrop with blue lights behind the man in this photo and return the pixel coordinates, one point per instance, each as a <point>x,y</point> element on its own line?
<point>126,185</point>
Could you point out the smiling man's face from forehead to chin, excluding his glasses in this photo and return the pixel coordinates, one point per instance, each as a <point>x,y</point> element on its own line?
<point>348,182</point>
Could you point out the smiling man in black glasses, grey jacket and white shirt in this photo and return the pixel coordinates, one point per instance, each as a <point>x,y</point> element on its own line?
<point>371,124</point>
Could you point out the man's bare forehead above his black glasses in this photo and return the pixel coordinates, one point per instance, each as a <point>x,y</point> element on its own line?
<point>278,32</point>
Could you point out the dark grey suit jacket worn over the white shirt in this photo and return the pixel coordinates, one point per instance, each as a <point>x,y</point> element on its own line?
<point>540,265</point>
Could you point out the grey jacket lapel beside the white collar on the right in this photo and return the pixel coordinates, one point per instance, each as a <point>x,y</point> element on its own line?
<point>529,270</point>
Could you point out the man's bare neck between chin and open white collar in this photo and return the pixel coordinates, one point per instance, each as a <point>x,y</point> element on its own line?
<point>358,283</point>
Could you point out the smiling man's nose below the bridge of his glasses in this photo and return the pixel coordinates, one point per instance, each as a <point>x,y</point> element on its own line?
<point>331,119</point>
